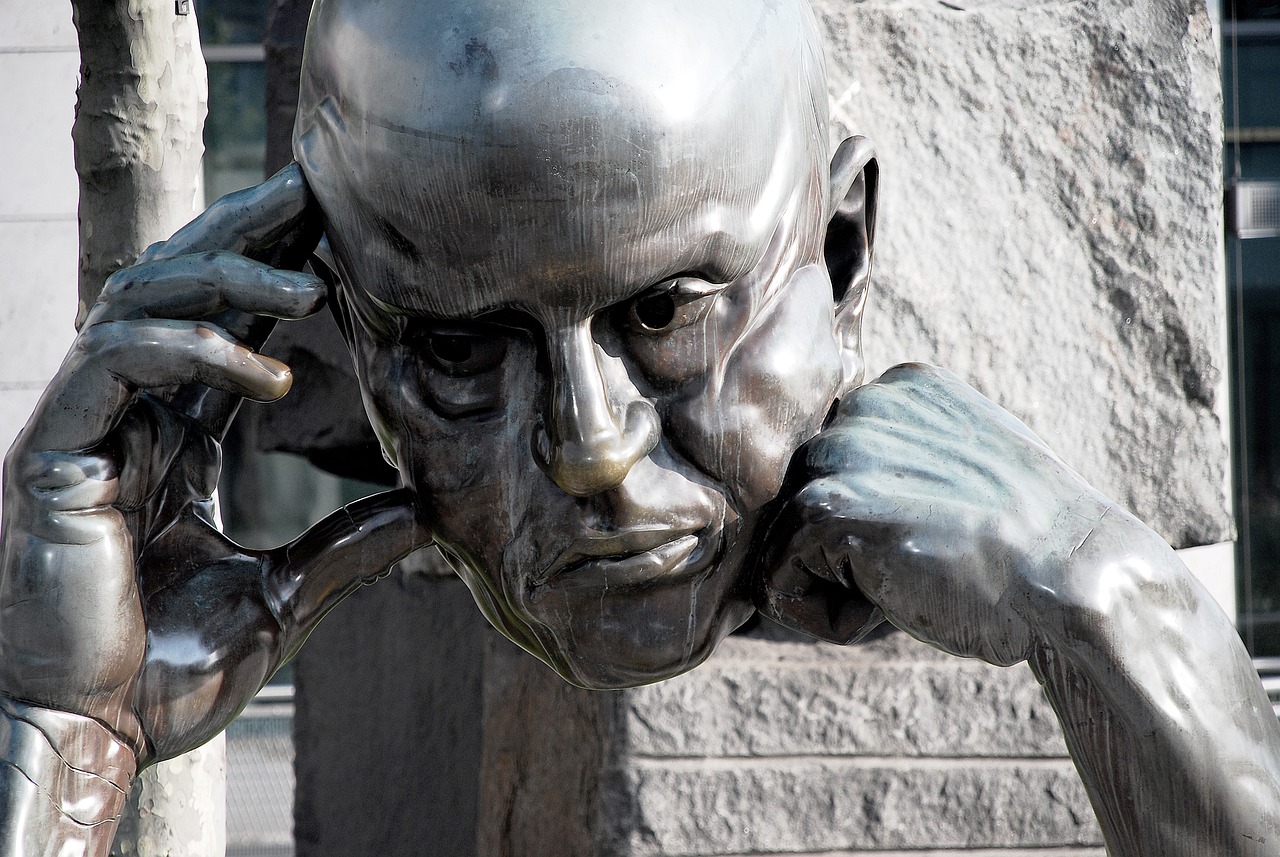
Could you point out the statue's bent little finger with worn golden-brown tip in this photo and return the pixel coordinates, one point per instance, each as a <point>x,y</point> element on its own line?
<point>112,361</point>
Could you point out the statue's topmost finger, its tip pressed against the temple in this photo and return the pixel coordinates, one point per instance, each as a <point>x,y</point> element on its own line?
<point>277,222</point>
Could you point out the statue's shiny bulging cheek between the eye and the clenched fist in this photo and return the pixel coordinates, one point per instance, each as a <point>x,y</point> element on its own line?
<point>743,421</point>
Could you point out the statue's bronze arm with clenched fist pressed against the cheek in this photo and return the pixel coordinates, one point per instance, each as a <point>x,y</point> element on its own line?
<point>929,505</point>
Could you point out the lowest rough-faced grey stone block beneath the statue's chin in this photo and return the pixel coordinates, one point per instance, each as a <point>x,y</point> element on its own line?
<point>702,809</point>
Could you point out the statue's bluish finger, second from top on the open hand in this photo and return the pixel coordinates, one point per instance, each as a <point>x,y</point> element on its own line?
<point>202,286</point>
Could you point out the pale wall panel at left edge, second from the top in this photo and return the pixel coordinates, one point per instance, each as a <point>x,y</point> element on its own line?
<point>36,145</point>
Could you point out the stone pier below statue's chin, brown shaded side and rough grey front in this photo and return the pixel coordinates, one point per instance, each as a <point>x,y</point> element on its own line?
<point>780,746</point>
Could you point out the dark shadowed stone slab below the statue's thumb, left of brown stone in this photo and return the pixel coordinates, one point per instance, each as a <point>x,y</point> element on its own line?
<point>388,725</point>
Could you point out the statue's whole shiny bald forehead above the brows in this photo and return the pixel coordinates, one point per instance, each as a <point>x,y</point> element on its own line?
<point>561,153</point>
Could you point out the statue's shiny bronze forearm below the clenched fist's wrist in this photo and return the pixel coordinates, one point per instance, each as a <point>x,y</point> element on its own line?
<point>1159,702</point>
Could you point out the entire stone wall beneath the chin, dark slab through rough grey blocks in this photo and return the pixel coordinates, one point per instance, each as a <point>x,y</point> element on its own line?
<point>420,732</point>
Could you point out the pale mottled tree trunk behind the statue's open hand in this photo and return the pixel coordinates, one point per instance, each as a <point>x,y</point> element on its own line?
<point>138,135</point>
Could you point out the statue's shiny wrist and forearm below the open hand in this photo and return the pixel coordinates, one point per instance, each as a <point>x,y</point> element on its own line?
<point>63,783</point>
